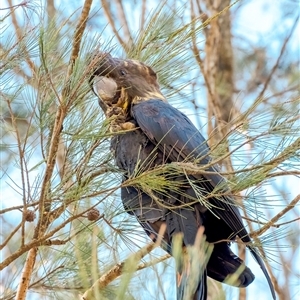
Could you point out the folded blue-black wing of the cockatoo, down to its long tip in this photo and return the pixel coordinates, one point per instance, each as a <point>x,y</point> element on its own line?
<point>176,136</point>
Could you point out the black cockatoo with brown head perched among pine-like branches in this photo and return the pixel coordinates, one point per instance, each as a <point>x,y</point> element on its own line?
<point>149,133</point>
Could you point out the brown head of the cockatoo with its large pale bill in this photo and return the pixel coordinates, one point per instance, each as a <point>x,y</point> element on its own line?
<point>122,82</point>
